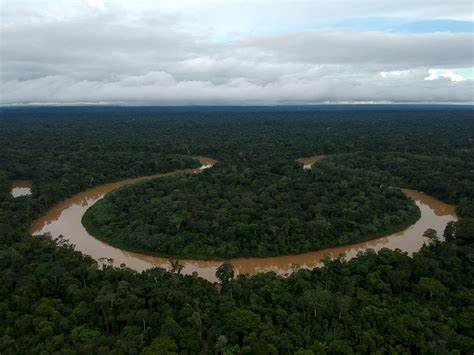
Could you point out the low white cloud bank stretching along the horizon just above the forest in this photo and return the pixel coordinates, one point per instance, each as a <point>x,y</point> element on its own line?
<point>163,88</point>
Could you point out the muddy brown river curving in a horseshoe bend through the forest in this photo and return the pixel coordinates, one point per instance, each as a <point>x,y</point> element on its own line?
<point>65,219</point>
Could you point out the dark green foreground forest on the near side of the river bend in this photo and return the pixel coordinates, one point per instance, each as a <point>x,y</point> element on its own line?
<point>54,299</point>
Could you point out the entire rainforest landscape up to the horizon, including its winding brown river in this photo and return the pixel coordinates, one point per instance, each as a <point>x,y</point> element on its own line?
<point>220,184</point>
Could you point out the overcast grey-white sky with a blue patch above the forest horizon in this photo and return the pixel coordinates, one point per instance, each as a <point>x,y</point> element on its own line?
<point>236,51</point>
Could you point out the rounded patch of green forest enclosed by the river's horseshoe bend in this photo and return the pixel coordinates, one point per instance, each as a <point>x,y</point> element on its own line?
<point>272,209</point>
